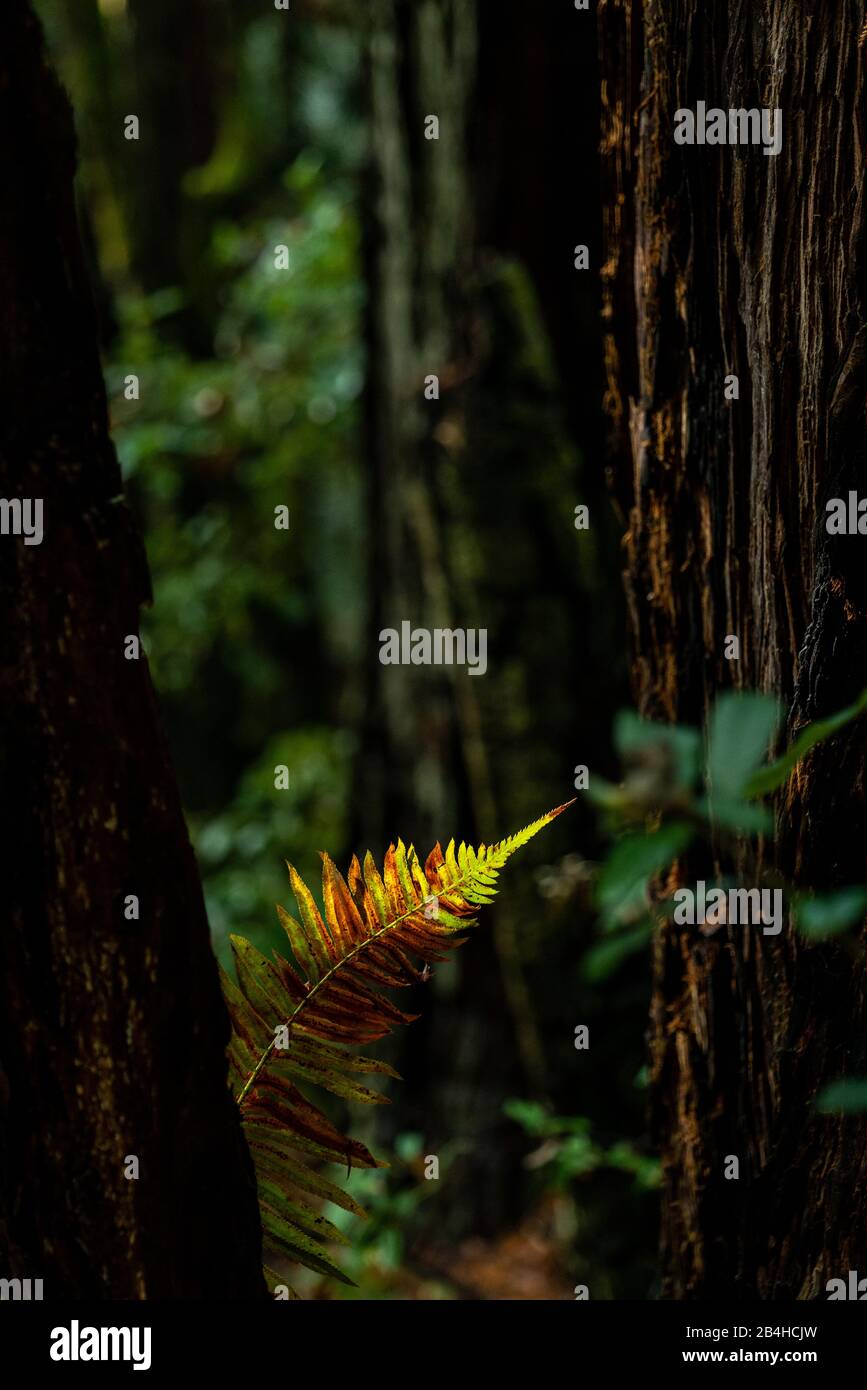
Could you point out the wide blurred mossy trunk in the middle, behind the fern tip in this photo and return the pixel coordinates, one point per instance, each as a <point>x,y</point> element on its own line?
<point>472,501</point>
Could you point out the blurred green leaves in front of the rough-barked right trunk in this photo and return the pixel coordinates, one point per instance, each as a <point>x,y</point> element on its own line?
<point>679,790</point>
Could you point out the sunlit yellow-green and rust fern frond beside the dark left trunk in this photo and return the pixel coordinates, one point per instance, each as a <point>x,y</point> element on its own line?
<point>294,1020</point>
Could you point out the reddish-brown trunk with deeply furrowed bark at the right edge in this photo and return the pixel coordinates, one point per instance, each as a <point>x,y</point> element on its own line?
<point>726,262</point>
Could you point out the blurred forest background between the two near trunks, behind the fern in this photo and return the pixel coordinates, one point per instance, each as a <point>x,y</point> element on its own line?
<point>262,389</point>
